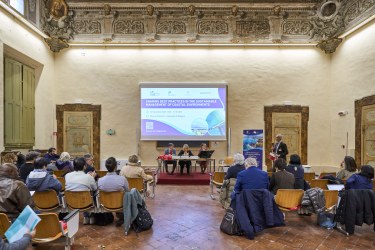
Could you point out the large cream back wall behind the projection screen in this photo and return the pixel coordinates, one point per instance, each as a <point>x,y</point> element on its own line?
<point>256,77</point>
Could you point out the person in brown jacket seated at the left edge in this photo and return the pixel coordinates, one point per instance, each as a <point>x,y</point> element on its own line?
<point>14,195</point>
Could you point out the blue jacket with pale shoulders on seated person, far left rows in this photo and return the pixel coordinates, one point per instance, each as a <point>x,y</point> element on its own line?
<point>41,180</point>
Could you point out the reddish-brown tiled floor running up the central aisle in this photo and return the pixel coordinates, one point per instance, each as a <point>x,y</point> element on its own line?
<point>186,218</point>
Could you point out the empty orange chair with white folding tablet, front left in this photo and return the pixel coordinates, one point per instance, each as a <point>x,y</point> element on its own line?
<point>50,228</point>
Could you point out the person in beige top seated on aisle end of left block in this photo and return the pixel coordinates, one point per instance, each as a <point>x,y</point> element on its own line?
<point>133,170</point>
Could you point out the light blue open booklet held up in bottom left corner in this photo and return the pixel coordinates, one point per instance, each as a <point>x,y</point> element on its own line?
<point>26,221</point>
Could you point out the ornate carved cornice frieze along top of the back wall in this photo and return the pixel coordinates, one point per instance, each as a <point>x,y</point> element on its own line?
<point>202,22</point>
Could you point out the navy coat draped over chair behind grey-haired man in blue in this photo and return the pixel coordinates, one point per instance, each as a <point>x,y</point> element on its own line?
<point>256,210</point>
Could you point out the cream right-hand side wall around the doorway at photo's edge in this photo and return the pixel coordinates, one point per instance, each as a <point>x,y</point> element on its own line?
<point>353,74</point>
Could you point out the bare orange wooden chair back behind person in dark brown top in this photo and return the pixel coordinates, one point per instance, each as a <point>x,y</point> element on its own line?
<point>287,199</point>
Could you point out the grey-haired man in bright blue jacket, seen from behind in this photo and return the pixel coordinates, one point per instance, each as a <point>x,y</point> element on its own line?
<point>252,177</point>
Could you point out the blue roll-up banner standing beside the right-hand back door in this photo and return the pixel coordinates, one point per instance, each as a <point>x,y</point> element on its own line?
<point>253,145</point>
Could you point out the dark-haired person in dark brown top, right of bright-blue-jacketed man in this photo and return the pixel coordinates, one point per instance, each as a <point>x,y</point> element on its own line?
<point>281,179</point>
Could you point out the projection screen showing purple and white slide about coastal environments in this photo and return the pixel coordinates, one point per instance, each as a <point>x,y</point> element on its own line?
<point>175,112</point>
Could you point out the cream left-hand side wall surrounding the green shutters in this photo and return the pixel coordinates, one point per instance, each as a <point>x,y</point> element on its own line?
<point>26,46</point>
